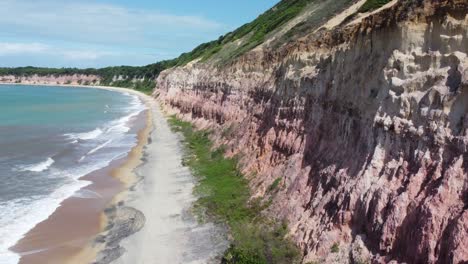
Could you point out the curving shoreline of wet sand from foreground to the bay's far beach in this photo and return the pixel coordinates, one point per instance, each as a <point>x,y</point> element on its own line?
<point>112,182</point>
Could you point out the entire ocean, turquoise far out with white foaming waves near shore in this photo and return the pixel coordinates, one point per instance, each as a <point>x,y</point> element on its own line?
<point>49,138</point>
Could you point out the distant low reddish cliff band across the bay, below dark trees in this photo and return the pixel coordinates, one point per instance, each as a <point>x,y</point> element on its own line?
<point>75,79</point>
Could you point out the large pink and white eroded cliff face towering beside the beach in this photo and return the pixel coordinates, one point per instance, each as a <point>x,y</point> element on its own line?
<point>366,125</point>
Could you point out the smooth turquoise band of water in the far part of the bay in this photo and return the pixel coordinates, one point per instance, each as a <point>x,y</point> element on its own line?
<point>56,106</point>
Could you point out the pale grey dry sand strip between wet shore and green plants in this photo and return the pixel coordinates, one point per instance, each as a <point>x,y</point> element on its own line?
<point>165,196</point>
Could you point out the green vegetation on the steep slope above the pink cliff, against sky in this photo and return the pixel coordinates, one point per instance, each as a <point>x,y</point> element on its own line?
<point>256,32</point>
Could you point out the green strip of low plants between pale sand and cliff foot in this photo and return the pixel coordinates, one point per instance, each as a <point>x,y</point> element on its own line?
<point>224,194</point>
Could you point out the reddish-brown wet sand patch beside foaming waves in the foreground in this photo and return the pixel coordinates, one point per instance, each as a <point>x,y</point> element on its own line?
<point>72,226</point>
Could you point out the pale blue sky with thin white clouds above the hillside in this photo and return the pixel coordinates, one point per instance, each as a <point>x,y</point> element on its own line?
<point>100,33</point>
